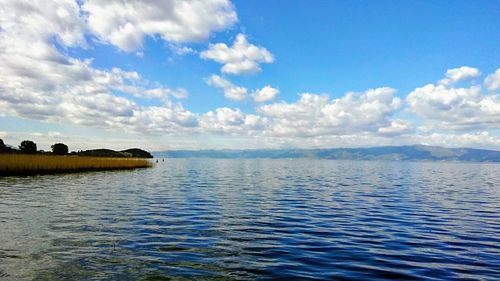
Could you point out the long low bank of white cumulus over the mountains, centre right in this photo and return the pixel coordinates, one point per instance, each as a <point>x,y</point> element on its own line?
<point>313,117</point>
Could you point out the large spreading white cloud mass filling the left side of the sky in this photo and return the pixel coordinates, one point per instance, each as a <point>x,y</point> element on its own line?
<point>38,81</point>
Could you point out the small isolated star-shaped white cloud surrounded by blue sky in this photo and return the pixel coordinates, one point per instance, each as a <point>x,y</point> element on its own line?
<point>241,58</point>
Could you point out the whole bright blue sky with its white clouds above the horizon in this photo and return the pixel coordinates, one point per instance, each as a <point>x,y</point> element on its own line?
<point>217,74</point>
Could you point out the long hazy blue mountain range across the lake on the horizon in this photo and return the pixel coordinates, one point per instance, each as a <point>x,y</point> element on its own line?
<point>410,153</point>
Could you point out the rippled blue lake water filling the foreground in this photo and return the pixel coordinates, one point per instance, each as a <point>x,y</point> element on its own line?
<point>205,219</point>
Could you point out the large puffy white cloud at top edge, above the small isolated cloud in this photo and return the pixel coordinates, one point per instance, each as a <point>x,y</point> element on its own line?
<point>126,23</point>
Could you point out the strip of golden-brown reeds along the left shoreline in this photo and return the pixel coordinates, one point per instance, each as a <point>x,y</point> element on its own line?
<point>19,164</point>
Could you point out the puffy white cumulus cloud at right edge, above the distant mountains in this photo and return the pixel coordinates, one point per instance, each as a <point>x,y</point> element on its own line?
<point>449,108</point>
